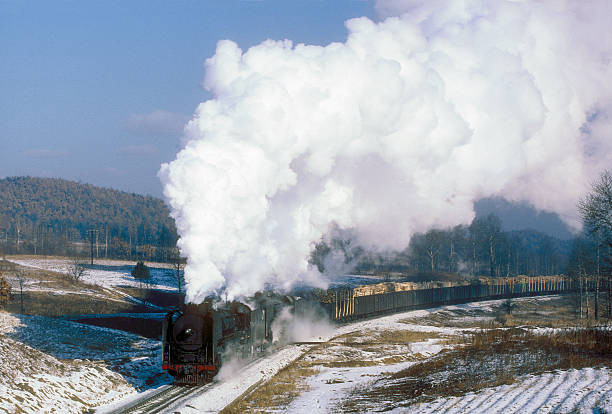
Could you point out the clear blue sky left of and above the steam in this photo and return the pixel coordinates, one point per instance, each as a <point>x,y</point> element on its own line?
<point>97,91</point>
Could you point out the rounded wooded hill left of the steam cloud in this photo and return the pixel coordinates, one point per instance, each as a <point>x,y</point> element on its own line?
<point>55,216</point>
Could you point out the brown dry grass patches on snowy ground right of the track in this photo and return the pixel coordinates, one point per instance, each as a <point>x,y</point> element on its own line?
<point>490,348</point>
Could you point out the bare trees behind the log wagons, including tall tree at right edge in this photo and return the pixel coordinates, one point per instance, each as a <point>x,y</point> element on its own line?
<point>482,248</point>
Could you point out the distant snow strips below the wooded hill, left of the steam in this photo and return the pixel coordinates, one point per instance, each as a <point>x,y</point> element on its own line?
<point>106,273</point>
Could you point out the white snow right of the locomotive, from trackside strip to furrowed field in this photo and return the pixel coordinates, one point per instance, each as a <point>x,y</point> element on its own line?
<point>336,379</point>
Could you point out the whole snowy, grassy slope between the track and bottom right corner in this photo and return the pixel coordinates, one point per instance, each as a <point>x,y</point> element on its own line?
<point>475,357</point>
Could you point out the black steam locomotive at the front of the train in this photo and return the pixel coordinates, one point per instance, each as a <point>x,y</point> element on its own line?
<point>197,339</point>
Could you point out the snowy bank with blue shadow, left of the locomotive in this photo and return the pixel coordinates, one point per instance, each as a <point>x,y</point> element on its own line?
<point>53,365</point>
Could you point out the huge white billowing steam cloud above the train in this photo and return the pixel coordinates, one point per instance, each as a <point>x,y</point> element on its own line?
<point>396,130</point>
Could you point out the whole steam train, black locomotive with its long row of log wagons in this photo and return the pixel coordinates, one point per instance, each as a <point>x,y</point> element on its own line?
<point>197,339</point>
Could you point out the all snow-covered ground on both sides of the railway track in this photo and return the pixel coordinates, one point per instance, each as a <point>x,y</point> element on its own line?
<point>69,367</point>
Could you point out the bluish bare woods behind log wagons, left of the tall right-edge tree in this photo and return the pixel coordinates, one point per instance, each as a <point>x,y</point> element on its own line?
<point>481,248</point>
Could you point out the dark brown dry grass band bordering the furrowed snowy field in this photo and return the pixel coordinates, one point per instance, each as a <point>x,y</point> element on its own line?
<point>490,358</point>
